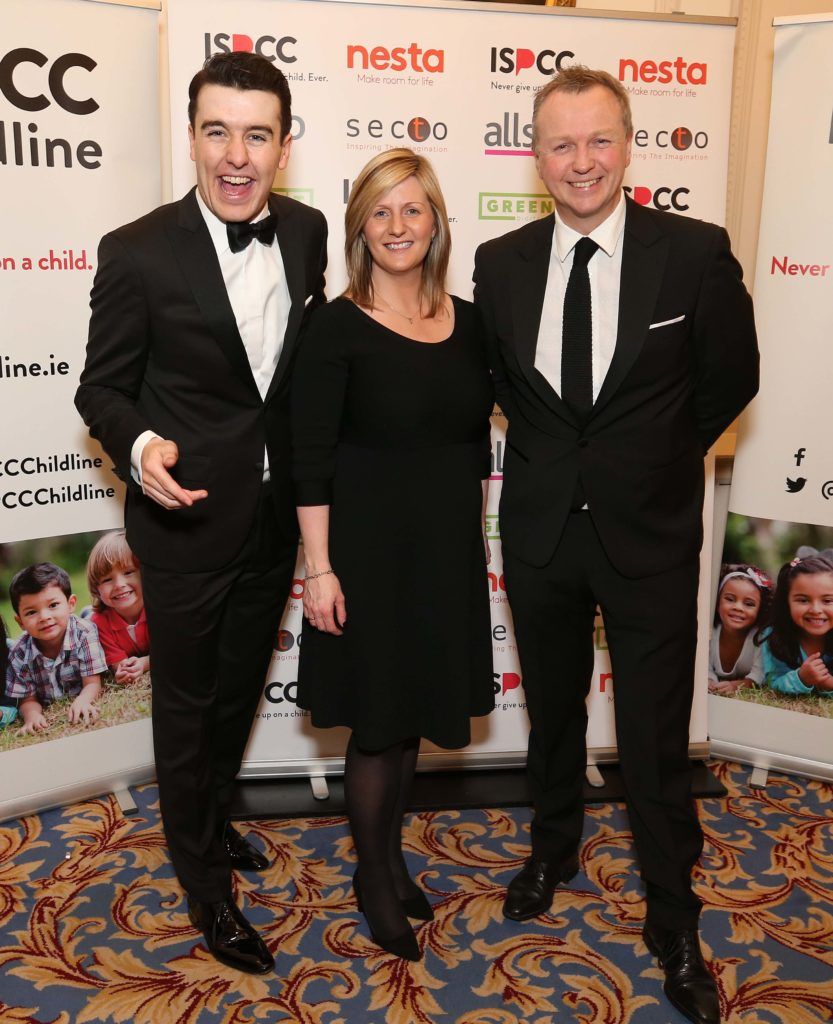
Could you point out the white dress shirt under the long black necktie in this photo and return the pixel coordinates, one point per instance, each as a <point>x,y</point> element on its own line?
<point>605,271</point>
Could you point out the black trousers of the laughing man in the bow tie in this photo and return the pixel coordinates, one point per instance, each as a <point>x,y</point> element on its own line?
<point>212,642</point>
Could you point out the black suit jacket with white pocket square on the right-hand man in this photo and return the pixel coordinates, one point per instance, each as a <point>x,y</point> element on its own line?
<point>686,364</point>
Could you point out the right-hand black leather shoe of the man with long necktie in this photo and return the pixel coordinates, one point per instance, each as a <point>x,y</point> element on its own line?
<point>689,985</point>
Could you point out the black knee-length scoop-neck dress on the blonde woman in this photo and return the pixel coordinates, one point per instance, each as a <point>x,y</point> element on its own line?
<point>394,436</point>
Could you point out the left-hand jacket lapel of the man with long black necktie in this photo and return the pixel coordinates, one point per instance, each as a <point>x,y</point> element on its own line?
<point>529,288</point>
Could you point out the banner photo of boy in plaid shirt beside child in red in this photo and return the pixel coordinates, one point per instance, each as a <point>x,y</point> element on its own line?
<point>74,643</point>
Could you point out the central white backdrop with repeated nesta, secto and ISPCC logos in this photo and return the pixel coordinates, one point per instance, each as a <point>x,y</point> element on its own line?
<point>457,84</point>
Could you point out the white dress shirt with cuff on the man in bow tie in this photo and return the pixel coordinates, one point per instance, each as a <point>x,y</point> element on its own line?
<point>256,282</point>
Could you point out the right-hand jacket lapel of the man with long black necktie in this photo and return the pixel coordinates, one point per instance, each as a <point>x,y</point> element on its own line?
<point>644,259</point>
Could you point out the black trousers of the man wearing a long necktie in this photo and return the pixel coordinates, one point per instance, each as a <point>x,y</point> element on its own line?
<point>651,626</point>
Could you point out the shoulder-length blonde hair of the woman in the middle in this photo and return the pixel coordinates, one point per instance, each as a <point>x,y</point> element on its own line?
<point>377,180</point>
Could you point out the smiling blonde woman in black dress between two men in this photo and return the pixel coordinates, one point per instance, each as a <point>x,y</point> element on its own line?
<point>392,398</point>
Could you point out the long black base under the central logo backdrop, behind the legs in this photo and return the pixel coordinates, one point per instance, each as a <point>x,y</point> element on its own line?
<point>436,791</point>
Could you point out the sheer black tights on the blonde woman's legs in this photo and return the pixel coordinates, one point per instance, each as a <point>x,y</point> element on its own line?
<point>378,785</point>
